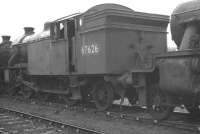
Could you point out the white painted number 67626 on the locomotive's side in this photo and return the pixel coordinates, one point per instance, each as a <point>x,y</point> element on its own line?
<point>89,49</point>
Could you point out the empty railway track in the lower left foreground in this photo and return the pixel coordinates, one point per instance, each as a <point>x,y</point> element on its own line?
<point>17,122</point>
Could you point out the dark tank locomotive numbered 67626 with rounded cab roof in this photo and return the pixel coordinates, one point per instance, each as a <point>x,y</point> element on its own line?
<point>105,54</point>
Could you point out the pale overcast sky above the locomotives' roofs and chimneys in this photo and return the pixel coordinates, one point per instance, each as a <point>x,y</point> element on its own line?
<point>16,14</point>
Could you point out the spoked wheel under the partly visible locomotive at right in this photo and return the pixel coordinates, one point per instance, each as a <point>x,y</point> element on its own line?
<point>159,104</point>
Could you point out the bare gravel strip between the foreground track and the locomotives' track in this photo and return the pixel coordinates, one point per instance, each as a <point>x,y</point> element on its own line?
<point>89,119</point>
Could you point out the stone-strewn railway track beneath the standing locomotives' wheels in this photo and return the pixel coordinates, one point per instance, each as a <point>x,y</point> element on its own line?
<point>181,121</point>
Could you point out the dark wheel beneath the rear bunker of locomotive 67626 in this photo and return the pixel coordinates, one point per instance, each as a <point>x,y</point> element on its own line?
<point>103,95</point>
